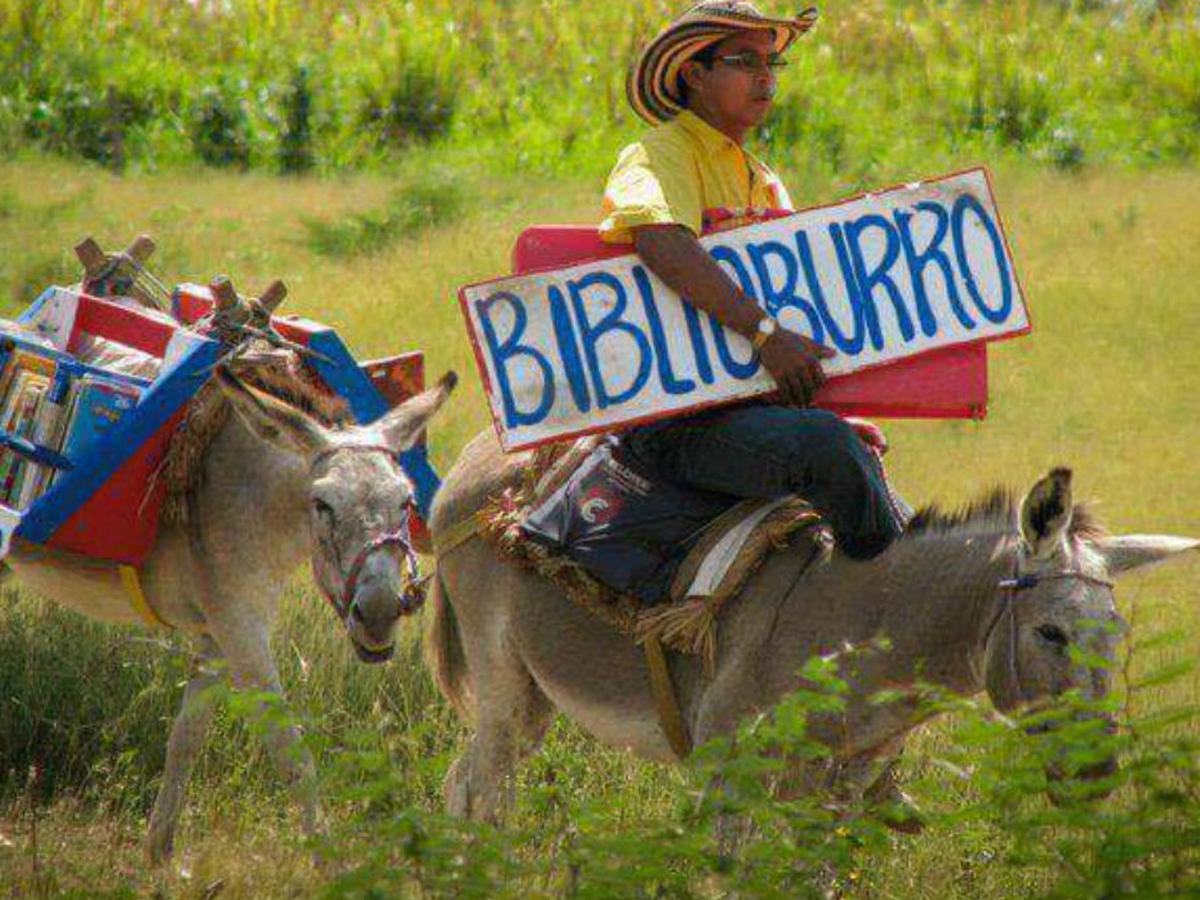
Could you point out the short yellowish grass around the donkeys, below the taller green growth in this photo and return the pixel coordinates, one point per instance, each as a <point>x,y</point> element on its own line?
<point>1106,385</point>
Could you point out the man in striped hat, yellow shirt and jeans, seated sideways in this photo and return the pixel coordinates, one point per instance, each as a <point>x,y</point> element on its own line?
<point>705,83</point>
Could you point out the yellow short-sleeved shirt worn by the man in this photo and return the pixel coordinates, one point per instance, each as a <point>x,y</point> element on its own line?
<point>686,172</point>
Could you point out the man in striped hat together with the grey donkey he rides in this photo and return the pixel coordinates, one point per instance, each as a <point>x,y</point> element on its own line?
<point>986,601</point>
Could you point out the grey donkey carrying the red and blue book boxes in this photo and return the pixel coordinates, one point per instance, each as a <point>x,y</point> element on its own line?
<point>275,484</point>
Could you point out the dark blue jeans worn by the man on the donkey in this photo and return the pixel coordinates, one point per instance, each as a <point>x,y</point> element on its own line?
<point>769,452</point>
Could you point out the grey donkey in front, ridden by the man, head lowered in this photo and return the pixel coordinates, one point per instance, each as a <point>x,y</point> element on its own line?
<point>989,599</point>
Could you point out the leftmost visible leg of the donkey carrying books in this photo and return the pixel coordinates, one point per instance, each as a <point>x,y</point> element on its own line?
<point>183,747</point>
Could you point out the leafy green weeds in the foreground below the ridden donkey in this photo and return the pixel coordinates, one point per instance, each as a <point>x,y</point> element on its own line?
<point>739,827</point>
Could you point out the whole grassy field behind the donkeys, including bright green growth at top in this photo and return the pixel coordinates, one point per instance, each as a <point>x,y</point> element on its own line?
<point>424,137</point>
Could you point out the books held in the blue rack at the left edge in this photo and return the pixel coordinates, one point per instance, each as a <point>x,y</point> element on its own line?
<point>50,404</point>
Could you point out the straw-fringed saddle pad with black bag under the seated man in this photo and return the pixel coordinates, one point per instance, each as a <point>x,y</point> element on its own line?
<point>652,559</point>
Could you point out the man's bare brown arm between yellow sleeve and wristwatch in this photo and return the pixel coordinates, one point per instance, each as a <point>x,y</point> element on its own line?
<point>674,254</point>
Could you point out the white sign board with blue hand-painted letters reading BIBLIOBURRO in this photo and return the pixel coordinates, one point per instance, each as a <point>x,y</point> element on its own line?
<point>880,278</point>
